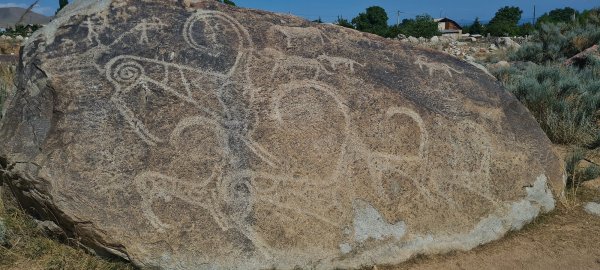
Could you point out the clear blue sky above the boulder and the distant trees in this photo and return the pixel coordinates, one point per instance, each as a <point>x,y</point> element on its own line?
<point>329,10</point>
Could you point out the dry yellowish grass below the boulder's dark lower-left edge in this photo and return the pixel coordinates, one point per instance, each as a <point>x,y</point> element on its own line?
<point>30,248</point>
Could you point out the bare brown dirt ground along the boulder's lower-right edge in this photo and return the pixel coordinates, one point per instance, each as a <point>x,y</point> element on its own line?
<point>568,238</point>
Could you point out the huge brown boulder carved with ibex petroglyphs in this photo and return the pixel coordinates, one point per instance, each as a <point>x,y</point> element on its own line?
<point>195,135</point>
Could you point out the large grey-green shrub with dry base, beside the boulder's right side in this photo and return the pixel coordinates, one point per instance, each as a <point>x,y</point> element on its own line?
<point>564,100</point>
